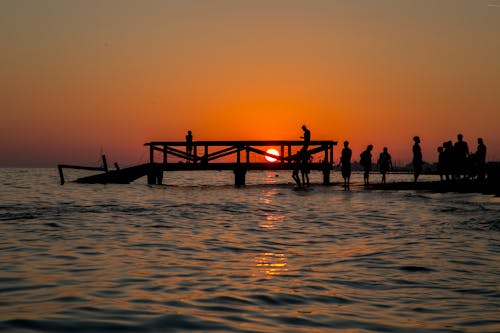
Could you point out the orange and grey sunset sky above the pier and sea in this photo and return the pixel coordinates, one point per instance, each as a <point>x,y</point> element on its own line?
<point>81,78</point>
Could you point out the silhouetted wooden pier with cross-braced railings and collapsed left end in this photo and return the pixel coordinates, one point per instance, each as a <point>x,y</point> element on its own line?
<point>236,156</point>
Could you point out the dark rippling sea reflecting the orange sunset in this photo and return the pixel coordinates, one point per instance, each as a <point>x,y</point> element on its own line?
<point>198,254</point>
